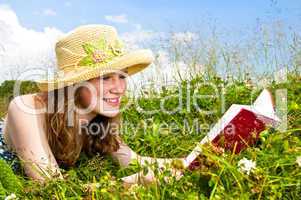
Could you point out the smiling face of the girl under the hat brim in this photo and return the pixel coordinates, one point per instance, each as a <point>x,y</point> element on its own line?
<point>106,95</point>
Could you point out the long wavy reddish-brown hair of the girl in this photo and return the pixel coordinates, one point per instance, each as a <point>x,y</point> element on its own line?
<point>67,142</point>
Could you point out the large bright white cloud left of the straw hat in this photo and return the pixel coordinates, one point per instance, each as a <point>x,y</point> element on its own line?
<point>24,48</point>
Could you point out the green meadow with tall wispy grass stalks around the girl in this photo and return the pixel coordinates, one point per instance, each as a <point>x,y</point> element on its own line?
<point>277,153</point>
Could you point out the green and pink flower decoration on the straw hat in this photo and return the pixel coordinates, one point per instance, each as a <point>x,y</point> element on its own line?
<point>101,52</point>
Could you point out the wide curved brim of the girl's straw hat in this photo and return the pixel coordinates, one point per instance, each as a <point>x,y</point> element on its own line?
<point>134,62</point>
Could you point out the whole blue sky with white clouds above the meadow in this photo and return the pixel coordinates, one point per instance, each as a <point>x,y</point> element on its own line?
<point>29,29</point>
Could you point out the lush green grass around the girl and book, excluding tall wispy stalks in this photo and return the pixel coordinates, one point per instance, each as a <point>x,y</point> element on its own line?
<point>277,175</point>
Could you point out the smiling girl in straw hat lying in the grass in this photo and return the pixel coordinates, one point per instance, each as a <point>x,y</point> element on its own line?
<point>78,110</point>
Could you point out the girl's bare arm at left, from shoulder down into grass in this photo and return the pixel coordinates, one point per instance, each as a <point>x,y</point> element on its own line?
<point>29,140</point>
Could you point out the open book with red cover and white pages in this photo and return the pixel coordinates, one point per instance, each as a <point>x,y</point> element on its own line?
<point>239,127</point>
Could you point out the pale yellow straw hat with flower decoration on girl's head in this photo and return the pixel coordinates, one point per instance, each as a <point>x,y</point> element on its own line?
<point>90,51</point>
